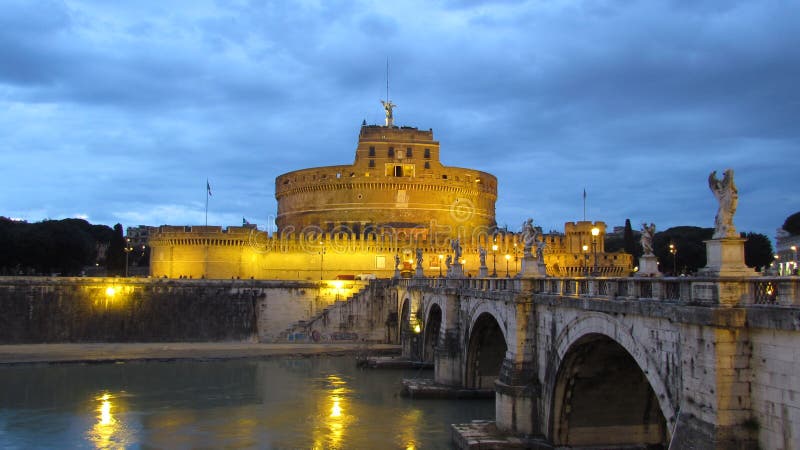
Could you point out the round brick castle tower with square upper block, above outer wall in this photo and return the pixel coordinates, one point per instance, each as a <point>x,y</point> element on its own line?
<point>396,181</point>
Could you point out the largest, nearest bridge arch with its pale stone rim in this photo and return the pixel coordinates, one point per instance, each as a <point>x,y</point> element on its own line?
<point>602,387</point>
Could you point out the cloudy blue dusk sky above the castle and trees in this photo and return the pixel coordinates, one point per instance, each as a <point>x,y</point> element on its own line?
<point>120,111</point>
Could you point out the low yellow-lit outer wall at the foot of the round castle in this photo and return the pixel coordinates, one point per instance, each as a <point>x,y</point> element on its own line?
<point>244,253</point>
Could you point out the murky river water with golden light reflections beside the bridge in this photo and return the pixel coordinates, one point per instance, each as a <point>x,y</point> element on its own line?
<point>280,403</point>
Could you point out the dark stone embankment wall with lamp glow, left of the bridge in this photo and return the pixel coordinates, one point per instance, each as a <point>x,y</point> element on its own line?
<point>51,310</point>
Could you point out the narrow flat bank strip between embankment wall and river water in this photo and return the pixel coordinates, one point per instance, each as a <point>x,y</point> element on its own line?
<point>167,351</point>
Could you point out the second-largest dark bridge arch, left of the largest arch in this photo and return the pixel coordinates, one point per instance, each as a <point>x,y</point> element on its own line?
<point>486,350</point>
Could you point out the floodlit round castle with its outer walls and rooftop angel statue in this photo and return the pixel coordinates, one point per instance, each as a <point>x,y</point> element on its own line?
<point>369,219</point>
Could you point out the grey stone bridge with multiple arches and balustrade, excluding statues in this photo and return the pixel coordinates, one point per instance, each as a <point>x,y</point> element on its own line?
<point>643,362</point>
